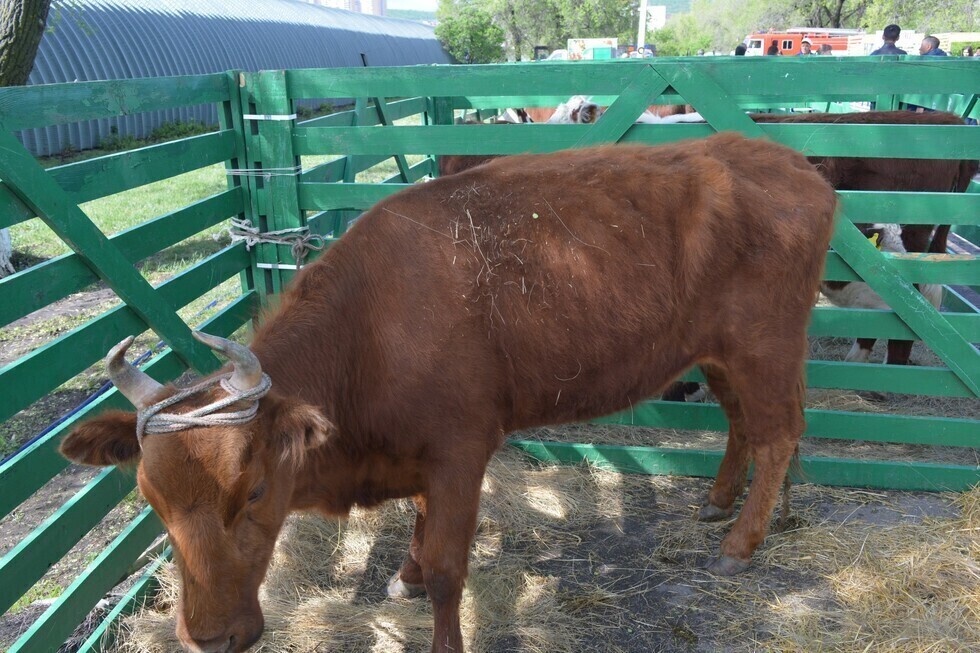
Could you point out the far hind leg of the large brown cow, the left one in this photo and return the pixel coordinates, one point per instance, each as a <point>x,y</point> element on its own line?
<point>730,481</point>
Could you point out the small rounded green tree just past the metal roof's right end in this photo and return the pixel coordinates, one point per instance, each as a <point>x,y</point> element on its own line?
<point>468,32</point>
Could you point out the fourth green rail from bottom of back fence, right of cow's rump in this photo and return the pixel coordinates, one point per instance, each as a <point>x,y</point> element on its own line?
<point>870,323</point>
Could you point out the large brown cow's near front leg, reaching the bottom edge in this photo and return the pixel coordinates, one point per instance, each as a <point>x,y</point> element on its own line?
<point>452,504</point>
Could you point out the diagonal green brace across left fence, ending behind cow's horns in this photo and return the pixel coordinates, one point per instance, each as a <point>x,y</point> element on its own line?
<point>39,191</point>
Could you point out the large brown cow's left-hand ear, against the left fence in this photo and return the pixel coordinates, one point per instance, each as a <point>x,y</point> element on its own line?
<point>109,439</point>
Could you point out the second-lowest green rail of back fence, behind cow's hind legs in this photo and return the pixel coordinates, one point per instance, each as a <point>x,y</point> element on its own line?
<point>850,425</point>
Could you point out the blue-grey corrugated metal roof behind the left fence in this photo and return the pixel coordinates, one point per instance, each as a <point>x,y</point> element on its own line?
<point>121,39</point>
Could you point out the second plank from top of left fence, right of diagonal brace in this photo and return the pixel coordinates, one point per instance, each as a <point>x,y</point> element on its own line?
<point>106,175</point>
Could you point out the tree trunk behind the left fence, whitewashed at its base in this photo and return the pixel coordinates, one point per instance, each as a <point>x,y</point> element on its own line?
<point>21,28</point>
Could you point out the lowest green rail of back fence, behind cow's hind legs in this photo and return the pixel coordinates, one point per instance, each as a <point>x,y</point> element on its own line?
<point>911,476</point>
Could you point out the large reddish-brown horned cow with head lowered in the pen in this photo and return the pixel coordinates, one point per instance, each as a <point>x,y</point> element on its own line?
<point>524,292</point>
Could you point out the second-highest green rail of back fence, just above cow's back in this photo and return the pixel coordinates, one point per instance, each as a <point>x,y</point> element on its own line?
<point>876,141</point>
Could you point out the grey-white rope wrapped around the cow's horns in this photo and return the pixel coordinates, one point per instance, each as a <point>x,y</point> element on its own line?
<point>152,420</point>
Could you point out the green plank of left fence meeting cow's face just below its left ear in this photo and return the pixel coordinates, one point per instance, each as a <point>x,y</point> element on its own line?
<point>34,555</point>
